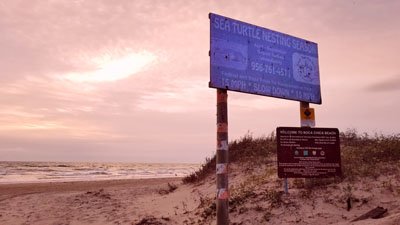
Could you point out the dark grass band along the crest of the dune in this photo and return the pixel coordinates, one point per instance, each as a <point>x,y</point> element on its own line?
<point>362,155</point>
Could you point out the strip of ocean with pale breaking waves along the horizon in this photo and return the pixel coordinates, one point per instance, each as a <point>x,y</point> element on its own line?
<point>34,172</point>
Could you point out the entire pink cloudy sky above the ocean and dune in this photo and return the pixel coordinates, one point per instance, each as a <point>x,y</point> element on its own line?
<point>127,80</point>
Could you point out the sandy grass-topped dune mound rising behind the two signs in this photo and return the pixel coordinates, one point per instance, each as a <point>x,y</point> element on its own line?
<point>371,178</point>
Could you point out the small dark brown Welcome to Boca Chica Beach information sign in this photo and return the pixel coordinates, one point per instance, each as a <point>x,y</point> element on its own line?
<point>308,152</point>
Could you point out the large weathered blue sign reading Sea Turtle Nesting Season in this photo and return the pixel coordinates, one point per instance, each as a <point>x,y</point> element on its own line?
<point>256,60</point>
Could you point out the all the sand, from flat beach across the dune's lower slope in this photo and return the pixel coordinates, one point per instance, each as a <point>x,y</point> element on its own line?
<point>257,199</point>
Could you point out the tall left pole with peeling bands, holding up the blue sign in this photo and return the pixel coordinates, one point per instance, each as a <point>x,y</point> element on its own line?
<point>222,201</point>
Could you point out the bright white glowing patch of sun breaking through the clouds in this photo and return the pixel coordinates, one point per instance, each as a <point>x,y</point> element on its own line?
<point>112,69</point>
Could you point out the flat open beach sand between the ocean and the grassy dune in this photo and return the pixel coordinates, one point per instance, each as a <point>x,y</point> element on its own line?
<point>94,202</point>
